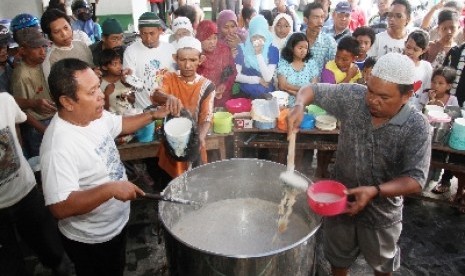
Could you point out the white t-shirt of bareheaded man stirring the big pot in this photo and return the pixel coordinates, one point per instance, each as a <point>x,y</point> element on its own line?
<point>75,158</point>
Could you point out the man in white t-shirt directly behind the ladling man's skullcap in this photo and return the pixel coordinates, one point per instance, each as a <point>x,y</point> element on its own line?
<point>393,39</point>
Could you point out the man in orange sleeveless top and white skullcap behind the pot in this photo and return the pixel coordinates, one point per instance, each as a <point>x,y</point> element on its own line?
<point>186,89</point>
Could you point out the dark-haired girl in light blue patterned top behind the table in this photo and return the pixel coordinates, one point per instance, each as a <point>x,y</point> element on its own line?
<point>295,68</point>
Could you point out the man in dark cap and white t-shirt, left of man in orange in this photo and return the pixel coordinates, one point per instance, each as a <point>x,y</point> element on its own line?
<point>149,57</point>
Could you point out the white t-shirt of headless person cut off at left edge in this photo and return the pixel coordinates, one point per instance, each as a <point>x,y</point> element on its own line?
<point>16,176</point>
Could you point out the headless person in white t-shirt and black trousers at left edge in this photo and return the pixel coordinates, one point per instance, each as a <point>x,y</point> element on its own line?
<point>22,207</point>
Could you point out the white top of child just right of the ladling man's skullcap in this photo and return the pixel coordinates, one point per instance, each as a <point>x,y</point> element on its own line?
<point>423,73</point>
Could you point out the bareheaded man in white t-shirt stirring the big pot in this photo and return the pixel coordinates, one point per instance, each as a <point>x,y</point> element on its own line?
<point>85,184</point>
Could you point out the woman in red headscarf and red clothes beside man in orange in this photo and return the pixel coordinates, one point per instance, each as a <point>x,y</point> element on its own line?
<point>218,66</point>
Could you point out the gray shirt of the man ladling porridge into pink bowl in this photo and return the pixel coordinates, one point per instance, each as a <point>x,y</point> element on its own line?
<point>368,155</point>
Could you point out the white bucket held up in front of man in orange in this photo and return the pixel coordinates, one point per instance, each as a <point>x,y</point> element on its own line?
<point>177,132</point>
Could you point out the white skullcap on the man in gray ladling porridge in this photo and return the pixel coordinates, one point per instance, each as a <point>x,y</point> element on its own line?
<point>395,68</point>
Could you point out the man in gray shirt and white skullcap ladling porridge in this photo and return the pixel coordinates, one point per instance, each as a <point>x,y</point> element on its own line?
<point>383,154</point>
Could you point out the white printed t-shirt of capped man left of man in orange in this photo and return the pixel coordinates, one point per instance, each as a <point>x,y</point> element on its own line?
<point>147,64</point>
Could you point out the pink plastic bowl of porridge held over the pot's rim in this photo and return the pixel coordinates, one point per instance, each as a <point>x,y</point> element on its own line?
<point>327,197</point>
